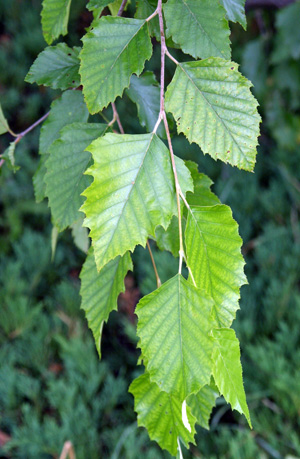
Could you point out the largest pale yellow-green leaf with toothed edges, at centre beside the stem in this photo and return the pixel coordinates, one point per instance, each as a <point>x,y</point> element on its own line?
<point>133,192</point>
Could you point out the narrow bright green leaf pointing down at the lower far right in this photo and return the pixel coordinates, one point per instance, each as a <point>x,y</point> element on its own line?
<point>227,370</point>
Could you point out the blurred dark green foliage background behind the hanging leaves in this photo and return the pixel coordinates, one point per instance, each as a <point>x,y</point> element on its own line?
<point>52,386</point>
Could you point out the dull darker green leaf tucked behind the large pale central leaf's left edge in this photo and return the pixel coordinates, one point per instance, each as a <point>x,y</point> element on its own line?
<point>65,166</point>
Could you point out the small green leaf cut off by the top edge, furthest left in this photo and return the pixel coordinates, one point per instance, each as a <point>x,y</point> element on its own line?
<point>55,18</point>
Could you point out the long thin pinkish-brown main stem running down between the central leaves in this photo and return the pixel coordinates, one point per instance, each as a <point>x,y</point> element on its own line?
<point>162,116</point>
